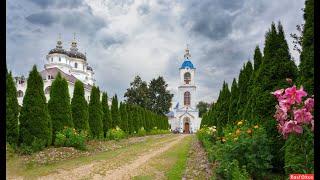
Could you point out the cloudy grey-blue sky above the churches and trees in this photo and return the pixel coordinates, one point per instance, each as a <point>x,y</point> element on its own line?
<point>125,38</point>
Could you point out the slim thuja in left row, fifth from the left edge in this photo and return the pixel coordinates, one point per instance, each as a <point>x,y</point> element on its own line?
<point>95,113</point>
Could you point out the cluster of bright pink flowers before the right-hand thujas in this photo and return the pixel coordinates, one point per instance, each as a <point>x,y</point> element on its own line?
<point>291,112</point>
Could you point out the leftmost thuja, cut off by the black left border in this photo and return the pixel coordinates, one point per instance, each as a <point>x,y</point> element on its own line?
<point>12,111</point>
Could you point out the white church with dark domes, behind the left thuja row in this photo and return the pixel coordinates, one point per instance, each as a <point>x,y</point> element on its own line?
<point>71,64</point>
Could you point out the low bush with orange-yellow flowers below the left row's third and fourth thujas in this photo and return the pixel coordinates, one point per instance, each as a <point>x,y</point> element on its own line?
<point>69,137</point>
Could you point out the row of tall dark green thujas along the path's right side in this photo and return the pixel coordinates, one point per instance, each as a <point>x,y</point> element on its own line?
<point>249,97</point>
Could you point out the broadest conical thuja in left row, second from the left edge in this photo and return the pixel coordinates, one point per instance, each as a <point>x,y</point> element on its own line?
<point>35,122</point>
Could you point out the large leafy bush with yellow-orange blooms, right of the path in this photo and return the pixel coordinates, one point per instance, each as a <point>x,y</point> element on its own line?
<point>242,138</point>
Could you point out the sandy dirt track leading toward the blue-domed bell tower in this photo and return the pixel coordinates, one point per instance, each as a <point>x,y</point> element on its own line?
<point>123,166</point>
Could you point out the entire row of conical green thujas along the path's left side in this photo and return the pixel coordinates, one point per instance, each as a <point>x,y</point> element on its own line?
<point>36,124</point>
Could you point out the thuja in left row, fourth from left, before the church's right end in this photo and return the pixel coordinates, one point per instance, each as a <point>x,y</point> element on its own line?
<point>79,108</point>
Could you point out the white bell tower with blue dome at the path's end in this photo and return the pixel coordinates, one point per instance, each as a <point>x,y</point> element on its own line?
<point>184,116</point>
